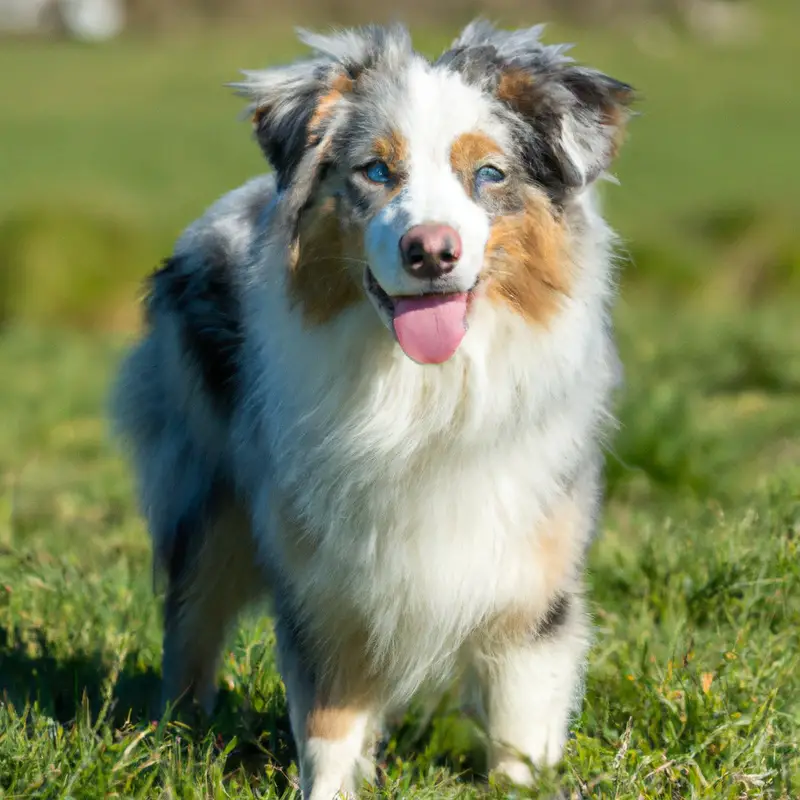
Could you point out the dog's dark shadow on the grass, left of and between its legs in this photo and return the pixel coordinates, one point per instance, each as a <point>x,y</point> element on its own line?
<point>73,689</point>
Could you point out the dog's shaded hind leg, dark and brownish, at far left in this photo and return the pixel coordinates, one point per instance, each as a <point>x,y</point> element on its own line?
<point>213,575</point>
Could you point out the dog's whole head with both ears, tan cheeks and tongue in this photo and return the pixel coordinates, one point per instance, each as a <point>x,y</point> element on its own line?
<point>424,186</point>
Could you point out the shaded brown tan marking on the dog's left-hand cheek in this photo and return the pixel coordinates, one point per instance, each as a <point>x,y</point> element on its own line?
<point>322,278</point>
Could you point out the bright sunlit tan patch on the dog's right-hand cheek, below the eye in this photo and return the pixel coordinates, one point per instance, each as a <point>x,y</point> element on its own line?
<point>527,261</point>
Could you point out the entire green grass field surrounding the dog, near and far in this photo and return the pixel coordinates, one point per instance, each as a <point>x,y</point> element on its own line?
<point>694,682</point>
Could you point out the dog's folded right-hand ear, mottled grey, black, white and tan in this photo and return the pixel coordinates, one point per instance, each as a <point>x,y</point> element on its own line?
<point>572,119</point>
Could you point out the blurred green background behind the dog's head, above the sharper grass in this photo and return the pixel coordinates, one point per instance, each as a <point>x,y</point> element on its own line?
<point>116,130</point>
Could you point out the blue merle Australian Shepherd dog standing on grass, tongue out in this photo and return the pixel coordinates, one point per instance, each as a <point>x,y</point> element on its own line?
<point>375,388</point>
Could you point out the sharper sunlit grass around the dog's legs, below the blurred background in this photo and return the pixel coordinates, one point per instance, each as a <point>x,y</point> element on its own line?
<point>694,685</point>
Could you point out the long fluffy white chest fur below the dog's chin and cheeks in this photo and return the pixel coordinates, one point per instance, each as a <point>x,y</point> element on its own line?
<point>421,490</point>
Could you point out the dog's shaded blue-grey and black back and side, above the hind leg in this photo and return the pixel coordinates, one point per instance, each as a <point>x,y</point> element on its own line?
<point>176,390</point>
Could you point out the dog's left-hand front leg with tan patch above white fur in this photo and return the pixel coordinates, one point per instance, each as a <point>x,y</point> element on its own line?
<point>333,715</point>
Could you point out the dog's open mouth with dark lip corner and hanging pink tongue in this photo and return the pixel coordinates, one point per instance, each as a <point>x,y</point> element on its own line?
<point>428,327</point>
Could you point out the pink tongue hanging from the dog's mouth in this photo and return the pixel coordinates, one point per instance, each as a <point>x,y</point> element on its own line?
<point>430,328</point>
